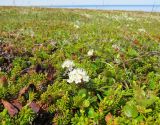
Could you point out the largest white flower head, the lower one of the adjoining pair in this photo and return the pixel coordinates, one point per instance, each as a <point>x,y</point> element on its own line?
<point>78,75</point>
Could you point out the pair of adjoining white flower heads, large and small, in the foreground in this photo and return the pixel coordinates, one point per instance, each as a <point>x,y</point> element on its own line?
<point>76,75</point>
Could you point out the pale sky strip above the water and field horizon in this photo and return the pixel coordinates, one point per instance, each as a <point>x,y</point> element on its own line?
<point>77,2</point>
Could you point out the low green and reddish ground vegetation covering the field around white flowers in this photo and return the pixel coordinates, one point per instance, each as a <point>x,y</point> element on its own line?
<point>124,68</point>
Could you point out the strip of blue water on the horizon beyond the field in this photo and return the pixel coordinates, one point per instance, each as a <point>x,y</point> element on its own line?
<point>148,8</point>
